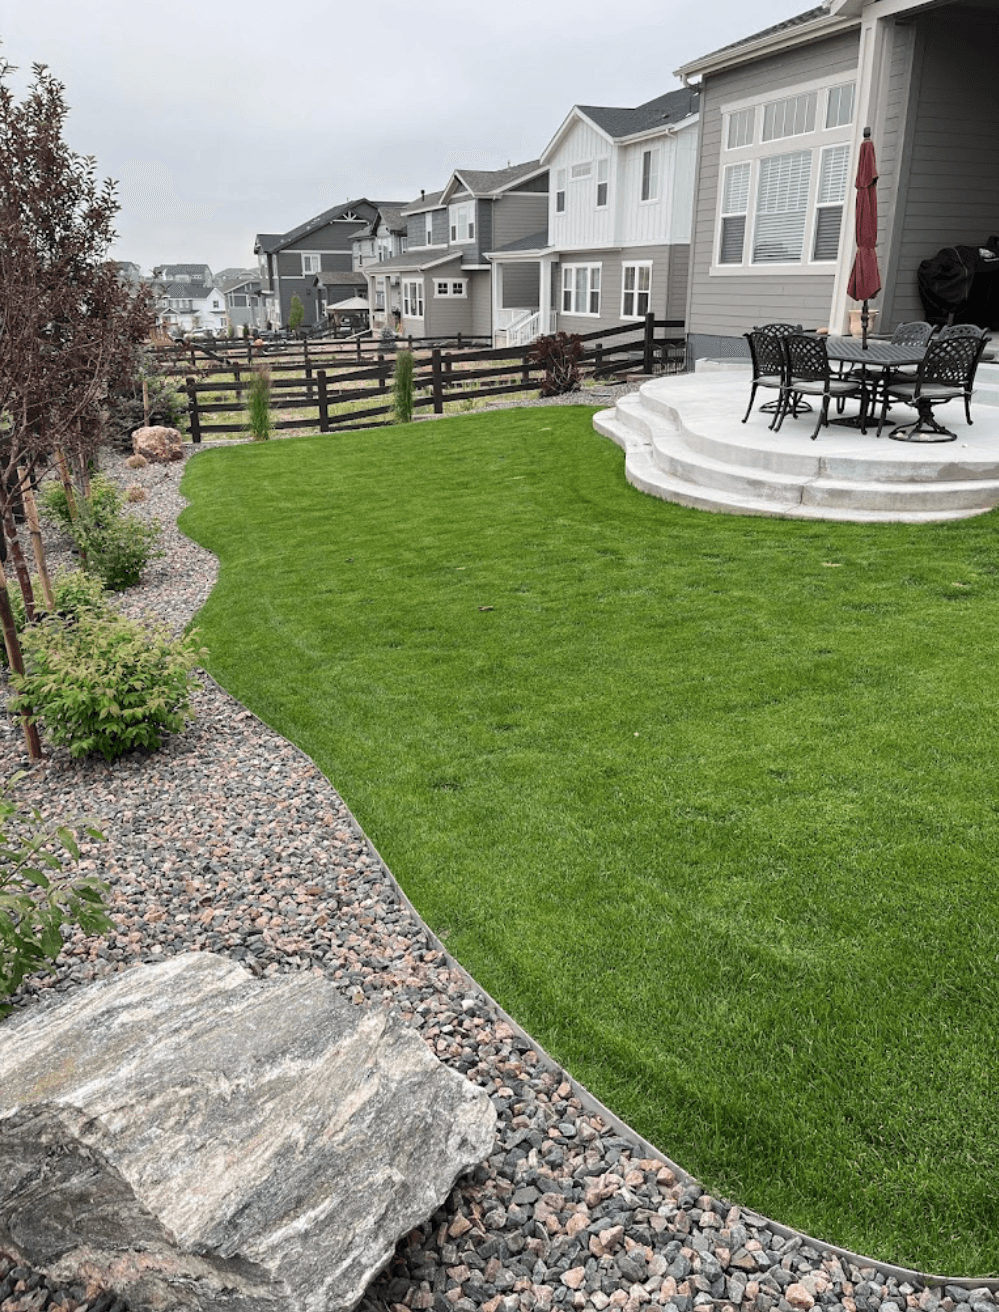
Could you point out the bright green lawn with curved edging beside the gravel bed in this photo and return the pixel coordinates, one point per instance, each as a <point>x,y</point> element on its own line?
<point>707,802</point>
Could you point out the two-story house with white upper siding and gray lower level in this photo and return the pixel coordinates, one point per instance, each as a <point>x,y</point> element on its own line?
<point>616,238</point>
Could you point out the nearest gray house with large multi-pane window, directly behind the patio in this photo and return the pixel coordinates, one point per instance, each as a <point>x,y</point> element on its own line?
<point>783,116</point>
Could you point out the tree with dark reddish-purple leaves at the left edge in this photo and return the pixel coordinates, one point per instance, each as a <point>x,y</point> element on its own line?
<point>70,327</point>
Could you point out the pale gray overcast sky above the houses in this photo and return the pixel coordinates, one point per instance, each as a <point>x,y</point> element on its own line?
<point>225,119</point>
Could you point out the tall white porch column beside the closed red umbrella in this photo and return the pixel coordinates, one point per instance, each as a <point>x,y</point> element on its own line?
<point>874,69</point>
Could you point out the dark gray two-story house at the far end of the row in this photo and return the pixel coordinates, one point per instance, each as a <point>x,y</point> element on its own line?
<point>291,263</point>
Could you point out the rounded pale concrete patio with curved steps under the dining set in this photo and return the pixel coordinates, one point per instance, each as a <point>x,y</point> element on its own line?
<point>685,443</point>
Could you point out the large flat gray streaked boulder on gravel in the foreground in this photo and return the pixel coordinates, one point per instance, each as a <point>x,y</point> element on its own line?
<point>196,1138</point>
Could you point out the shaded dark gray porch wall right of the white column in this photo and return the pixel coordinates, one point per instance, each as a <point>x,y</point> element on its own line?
<point>950,187</point>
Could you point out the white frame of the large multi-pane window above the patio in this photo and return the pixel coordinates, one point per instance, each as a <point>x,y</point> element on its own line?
<point>754,153</point>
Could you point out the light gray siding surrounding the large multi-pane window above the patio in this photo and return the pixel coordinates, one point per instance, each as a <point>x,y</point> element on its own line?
<point>725,308</point>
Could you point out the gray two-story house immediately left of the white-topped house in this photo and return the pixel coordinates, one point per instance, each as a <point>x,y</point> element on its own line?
<point>443,284</point>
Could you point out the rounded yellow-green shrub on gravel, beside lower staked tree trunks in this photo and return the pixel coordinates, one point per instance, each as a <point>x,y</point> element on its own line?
<point>106,684</point>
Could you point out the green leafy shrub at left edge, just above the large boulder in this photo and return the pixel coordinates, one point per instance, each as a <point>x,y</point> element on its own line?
<point>39,895</point>
